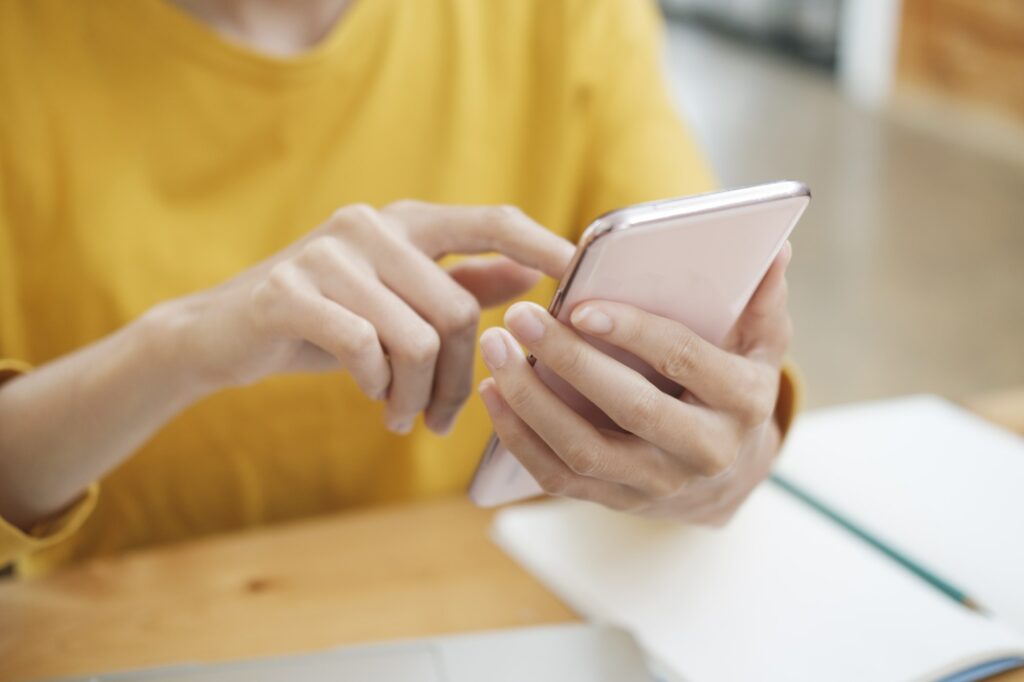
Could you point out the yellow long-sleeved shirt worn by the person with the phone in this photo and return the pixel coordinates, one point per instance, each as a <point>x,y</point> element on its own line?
<point>144,158</point>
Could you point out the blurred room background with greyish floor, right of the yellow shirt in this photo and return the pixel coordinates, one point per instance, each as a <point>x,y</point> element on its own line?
<point>907,120</point>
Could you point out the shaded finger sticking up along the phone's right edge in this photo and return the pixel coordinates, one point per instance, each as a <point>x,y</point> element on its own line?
<point>764,330</point>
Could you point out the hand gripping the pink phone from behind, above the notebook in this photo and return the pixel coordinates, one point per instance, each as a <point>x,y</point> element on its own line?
<point>694,458</point>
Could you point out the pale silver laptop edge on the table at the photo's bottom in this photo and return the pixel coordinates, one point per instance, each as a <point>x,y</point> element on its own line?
<point>553,654</point>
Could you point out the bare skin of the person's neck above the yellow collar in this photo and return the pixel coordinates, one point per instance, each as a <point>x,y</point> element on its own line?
<point>277,28</point>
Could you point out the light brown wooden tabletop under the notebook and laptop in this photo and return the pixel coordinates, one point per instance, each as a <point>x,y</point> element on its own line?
<point>398,572</point>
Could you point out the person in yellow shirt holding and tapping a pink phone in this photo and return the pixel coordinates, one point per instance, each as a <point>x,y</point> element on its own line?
<point>221,324</point>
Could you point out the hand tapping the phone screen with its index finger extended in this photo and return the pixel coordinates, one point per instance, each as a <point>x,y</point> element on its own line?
<point>363,292</point>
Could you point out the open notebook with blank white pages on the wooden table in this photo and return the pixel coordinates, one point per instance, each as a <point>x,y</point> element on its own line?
<point>785,592</point>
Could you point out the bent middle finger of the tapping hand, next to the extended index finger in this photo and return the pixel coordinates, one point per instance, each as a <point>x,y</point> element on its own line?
<point>452,312</point>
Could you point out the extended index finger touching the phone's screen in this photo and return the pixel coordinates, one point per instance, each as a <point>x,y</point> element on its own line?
<point>439,231</point>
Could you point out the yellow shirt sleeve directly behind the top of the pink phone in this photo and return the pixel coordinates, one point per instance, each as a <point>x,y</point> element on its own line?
<point>638,148</point>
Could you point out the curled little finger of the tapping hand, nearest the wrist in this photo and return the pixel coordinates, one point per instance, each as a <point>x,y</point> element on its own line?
<point>303,312</point>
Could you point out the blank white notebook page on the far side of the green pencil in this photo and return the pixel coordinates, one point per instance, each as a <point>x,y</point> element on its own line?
<point>930,479</point>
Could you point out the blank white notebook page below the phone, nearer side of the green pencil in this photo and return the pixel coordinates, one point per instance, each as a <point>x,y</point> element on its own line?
<point>780,594</point>
